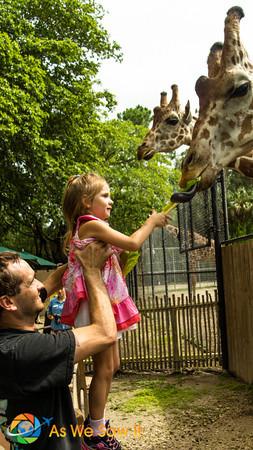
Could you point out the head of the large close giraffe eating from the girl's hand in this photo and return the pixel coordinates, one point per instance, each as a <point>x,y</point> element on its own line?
<point>224,129</point>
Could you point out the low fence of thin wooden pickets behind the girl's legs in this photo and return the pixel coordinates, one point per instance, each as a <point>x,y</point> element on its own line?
<point>175,333</point>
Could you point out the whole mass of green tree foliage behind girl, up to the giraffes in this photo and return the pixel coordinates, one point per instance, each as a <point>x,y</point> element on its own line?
<point>51,128</point>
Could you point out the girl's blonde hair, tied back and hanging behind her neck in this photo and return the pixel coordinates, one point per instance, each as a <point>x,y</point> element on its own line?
<point>79,187</point>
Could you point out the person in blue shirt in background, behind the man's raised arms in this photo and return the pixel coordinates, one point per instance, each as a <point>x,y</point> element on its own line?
<point>54,312</point>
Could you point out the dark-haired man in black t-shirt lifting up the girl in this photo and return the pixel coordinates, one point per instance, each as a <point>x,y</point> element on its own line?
<point>36,368</point>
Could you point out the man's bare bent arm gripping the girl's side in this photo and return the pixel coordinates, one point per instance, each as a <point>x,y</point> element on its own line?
<point>102,332</point>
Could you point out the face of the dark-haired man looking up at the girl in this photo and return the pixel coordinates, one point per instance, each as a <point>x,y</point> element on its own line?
<point>27,301</point>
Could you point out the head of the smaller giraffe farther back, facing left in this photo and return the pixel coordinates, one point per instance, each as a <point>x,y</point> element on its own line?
<point>171,127</point>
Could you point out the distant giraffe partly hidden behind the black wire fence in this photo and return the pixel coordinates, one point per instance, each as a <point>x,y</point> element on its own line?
<point>195,256</point>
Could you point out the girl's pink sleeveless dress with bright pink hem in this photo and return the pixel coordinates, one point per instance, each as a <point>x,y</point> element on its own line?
<point>76,310</point>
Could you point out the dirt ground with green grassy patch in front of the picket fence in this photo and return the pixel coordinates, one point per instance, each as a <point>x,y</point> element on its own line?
<point>204,411</point>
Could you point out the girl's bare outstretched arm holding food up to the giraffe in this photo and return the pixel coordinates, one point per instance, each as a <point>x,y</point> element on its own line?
<point>102,232</point>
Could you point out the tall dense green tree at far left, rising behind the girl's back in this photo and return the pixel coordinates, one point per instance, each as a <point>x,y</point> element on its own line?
<point>50,53</point>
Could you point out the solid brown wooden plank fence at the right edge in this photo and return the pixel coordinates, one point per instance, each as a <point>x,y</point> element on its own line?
<point>237,260</point>
